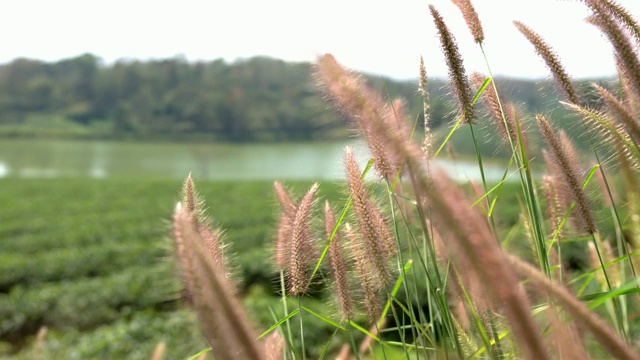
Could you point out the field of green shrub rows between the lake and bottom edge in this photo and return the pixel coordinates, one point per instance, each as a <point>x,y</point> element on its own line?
<point>91,260</point>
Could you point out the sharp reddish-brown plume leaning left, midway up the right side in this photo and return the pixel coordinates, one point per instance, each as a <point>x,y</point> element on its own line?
<point>566,161</point>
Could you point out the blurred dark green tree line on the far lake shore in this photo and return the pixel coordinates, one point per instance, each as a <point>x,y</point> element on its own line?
<point>255,99</point>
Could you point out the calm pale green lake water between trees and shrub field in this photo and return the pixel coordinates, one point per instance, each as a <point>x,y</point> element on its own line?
<point>99,159</point>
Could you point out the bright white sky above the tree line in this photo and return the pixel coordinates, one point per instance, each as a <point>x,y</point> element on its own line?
<point>381,37</point>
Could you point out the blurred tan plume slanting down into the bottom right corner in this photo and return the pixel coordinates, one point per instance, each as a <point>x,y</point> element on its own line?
<point>580,312</point>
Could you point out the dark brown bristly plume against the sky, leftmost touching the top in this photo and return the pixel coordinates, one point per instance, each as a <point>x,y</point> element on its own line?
<point>457,74</point>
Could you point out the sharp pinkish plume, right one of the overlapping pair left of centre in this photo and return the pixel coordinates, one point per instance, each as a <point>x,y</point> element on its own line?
<point>301,244</point>
